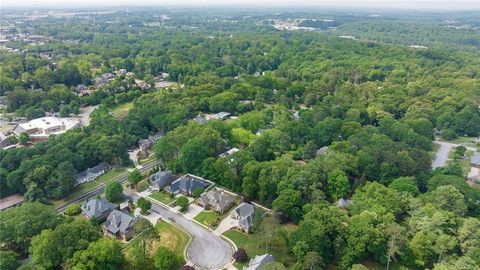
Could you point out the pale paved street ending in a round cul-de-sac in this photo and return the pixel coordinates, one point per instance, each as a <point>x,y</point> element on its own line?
<point>207,250</point>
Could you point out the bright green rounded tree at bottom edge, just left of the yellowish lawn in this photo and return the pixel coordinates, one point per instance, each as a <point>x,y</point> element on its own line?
<point>103,254</point>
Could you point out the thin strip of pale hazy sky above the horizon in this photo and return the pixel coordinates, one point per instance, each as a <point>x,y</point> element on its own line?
<point>392,4</point>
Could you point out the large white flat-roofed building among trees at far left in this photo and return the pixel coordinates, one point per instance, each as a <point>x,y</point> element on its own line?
<point>40,128</point>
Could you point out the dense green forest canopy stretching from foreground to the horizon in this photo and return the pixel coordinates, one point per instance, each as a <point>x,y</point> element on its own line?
<point>375,106</point>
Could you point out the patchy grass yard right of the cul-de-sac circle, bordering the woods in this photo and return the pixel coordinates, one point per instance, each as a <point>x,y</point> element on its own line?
<point>251,244</point>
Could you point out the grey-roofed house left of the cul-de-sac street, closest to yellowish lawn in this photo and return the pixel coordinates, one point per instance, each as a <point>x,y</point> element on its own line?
<point>119,225</point>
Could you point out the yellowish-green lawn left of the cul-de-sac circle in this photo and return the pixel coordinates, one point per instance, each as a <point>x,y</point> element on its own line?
<point>171,237</point>
